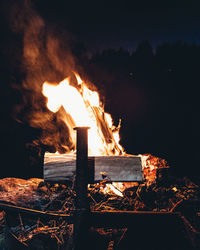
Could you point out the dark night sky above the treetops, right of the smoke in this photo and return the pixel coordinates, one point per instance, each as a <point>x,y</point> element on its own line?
<point>102,24</point>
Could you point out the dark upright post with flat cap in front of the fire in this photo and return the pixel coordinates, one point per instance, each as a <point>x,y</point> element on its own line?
<point>81,182</point>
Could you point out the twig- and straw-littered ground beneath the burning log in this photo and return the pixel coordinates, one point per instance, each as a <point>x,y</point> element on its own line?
<point>166,194</point>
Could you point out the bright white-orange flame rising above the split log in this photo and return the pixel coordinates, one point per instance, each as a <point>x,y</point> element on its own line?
<point>83,108</point>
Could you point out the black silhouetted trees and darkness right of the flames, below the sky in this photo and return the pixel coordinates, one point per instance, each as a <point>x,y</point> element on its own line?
<point>156,94</point>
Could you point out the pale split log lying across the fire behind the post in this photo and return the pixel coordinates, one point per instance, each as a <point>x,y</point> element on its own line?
<point>116,168</point>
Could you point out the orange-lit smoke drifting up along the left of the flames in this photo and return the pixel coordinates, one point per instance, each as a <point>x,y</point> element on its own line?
<point>46,56</point>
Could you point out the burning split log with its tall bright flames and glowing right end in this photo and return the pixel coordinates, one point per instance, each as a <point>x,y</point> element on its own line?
<point>83,108</point>
